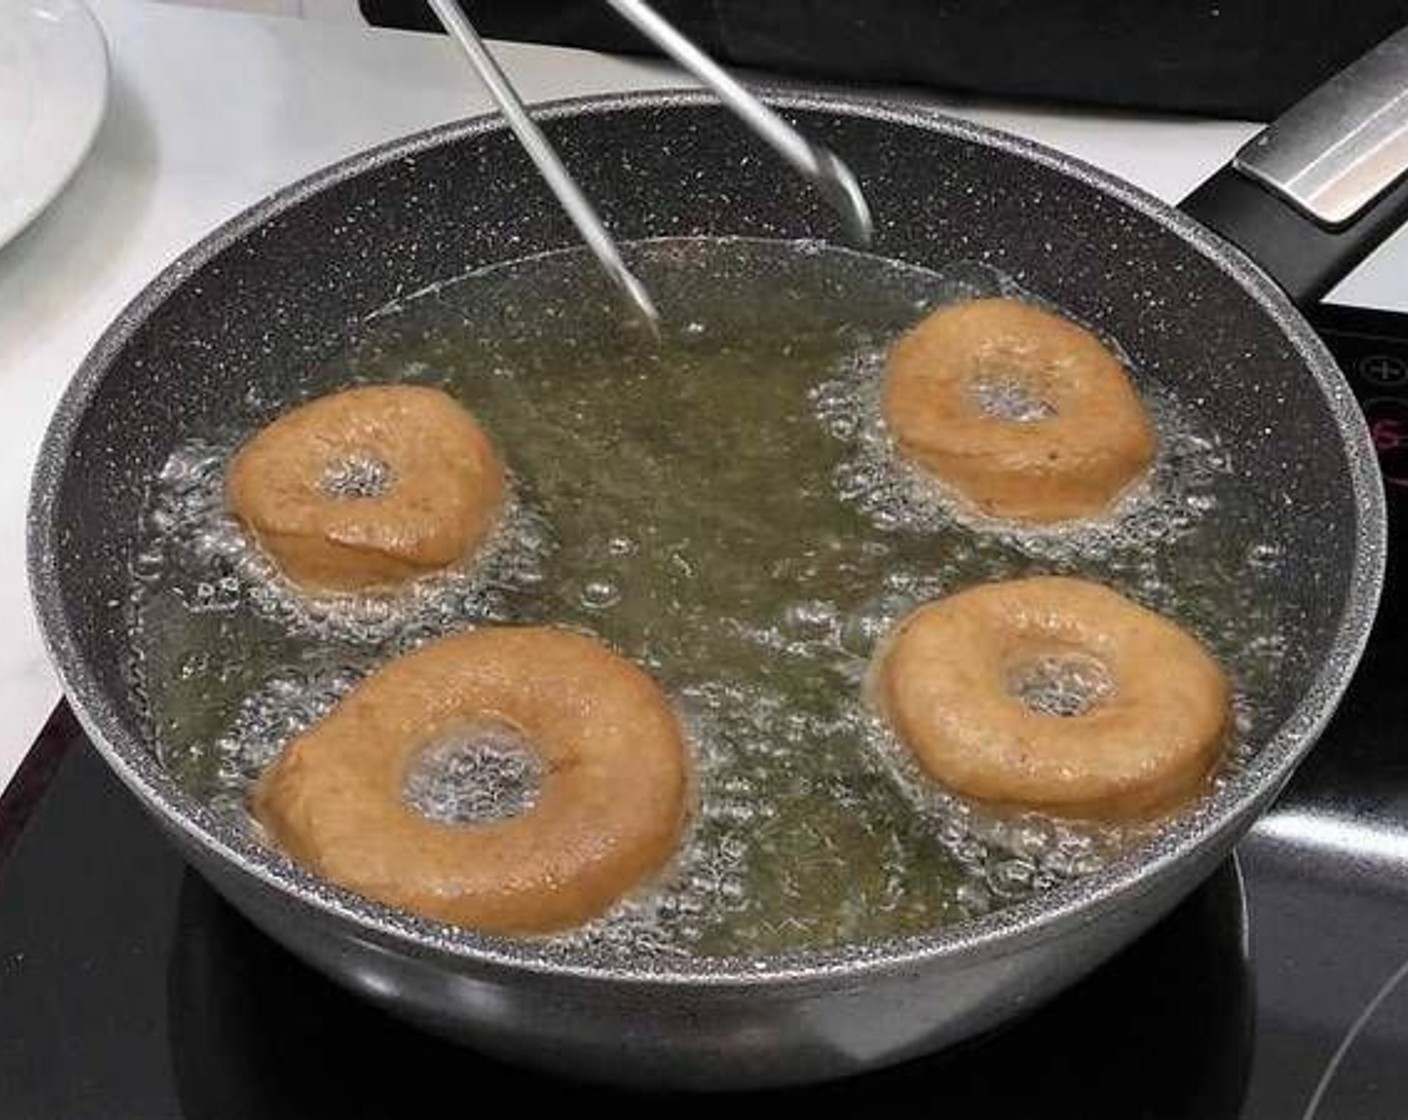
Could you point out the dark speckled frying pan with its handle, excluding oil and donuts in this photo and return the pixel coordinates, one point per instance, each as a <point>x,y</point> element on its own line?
<point>278,290</point>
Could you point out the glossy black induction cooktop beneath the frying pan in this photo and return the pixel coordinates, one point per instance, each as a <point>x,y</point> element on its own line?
<point>1278,991</point>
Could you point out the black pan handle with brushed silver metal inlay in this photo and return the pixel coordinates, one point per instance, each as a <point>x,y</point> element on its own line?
<point>1319,189</point>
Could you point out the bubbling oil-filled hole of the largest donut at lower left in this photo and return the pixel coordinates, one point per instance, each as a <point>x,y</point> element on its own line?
<point>475,774</point>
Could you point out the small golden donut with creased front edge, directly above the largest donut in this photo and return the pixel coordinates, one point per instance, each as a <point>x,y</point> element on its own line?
<point>443,497</point>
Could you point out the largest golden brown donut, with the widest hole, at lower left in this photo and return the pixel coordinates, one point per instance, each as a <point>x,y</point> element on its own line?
<point>609,814</point>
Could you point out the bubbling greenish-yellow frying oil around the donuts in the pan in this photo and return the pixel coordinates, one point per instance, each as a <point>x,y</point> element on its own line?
<point>723,508</point>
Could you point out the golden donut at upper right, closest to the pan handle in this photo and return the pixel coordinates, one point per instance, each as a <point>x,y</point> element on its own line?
<point>1086,436</point>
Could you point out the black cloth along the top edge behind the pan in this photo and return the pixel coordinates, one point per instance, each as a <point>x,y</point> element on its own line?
<point>1236,58</point>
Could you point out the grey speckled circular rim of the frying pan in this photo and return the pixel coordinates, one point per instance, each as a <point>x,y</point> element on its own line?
<point>1003,932</point>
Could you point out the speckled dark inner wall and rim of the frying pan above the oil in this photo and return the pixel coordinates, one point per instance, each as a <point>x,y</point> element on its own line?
<point>265,311</point>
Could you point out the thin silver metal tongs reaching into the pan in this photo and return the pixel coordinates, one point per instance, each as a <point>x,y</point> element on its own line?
<point>817,164</point>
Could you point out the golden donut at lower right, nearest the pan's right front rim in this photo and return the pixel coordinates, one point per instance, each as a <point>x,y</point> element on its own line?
<point>944,680</point>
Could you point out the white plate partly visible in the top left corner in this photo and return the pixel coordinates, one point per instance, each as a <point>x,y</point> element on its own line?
<point>53,95</point>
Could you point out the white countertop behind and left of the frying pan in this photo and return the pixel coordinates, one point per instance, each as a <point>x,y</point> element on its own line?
<point>213,111</point>
